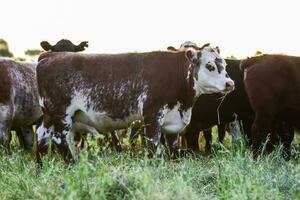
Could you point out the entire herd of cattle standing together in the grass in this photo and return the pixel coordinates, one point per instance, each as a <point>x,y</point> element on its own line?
<point>177,92</point>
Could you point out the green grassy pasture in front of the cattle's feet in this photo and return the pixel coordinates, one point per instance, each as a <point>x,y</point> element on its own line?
<point>230,173</point>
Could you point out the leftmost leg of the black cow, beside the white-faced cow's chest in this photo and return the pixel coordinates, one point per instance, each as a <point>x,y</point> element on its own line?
<point>192,138</point>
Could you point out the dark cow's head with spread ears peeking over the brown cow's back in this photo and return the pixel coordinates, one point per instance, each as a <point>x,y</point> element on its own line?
<point>64,45</point>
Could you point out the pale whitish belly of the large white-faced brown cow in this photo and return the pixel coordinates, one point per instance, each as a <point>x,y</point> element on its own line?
<point>102,122</point>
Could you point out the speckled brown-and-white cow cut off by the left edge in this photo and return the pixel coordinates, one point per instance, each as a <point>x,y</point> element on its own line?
<point>19,107</point>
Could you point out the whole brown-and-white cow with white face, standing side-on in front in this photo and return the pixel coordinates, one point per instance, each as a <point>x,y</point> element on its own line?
<point>109,91</point>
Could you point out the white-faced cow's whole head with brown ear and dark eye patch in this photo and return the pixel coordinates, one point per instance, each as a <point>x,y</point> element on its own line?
<point>209,74</point>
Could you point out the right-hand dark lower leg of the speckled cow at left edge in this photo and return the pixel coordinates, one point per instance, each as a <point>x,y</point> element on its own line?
<point>25,136</point>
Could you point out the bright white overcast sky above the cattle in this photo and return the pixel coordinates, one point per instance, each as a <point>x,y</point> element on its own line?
<point>238,27</point>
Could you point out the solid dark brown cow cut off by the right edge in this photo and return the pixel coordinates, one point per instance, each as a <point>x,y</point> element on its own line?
<point>273,86</point>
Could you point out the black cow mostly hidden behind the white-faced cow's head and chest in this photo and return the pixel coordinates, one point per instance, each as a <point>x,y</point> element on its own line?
<point>209,111</point>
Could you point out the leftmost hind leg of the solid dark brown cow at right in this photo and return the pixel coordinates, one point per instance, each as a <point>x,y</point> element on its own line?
<point>260,129</point>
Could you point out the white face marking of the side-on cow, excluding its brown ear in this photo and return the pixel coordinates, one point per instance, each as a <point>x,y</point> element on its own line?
<point>211,81</point>
